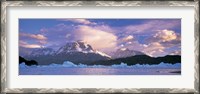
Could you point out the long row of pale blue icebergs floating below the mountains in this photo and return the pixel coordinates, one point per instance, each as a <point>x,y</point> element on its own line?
<point>68,64</point>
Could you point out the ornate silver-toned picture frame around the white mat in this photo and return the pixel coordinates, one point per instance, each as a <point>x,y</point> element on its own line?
<point>4,42</point>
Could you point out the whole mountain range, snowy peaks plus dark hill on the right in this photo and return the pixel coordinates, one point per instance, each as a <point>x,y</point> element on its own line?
<point>80,52</point>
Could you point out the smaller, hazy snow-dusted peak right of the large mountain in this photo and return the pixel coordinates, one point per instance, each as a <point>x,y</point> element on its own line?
<point>125,52</point>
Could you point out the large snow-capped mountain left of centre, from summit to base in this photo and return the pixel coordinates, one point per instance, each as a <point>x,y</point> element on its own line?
<point>77,52</point>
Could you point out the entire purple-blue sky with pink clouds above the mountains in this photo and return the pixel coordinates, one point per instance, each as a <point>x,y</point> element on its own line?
<point>154,37</point>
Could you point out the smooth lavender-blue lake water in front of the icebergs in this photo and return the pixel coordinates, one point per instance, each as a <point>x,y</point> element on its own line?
<point>98,71</point>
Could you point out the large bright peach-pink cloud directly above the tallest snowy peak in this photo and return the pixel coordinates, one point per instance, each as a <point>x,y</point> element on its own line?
<point>97,38</point>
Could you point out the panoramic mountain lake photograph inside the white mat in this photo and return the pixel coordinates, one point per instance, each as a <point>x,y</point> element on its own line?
<point>79,46</point>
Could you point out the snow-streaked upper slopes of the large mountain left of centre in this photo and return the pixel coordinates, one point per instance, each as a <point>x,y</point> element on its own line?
<point>70,47</point>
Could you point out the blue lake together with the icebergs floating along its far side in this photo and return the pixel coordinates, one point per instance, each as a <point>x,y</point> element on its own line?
<point>69,68</point>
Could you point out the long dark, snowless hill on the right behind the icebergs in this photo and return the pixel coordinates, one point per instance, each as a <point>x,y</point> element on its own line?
<point>141,59</point>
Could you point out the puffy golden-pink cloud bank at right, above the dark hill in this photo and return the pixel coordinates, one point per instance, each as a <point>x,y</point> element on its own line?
<point>159,42</point>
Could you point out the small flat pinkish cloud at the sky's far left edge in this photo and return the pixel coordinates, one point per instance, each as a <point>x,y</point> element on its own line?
<point>26,45</point>
